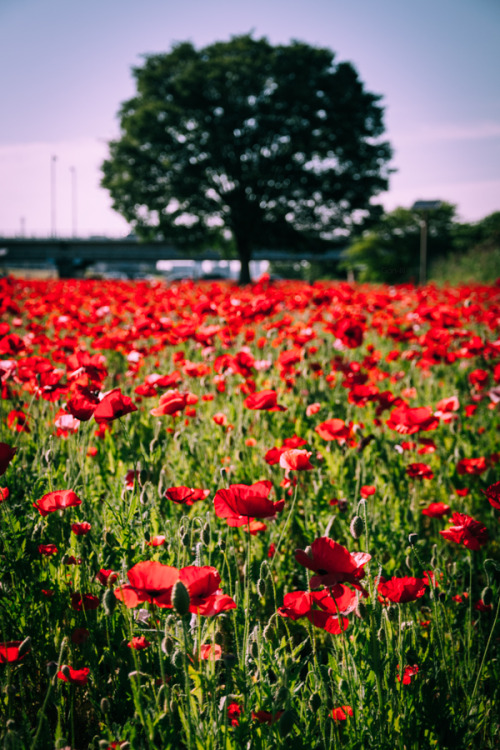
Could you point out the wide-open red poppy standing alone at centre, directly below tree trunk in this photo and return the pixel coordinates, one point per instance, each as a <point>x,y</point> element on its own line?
<point>241,502</point>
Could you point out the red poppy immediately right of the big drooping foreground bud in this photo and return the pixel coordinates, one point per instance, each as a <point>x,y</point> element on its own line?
<point>202,583</point>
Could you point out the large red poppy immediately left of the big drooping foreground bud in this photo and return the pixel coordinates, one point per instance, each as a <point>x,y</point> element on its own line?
<point>149,581</point>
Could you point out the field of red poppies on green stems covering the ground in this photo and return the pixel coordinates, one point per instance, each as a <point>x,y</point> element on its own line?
<point>253,517</point>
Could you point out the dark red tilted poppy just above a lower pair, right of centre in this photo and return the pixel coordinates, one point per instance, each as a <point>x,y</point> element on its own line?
<point>333,563</point>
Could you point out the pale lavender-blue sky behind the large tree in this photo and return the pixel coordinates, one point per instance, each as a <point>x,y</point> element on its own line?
<point>65,68</point>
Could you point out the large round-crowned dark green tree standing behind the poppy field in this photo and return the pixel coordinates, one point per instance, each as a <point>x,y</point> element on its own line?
<point>245,142</point>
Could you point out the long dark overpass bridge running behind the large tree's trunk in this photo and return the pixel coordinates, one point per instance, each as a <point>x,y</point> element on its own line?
<point>72,255</point>
